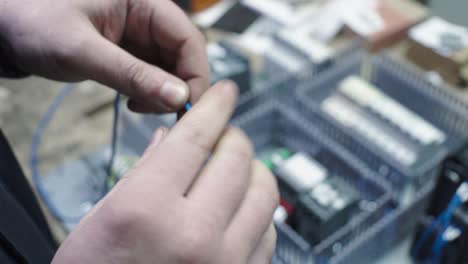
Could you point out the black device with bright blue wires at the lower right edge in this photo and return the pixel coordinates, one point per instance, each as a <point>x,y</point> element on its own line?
<point>433,241</point>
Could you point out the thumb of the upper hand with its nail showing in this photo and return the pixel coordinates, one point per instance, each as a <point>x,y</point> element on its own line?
<point>105,62</point>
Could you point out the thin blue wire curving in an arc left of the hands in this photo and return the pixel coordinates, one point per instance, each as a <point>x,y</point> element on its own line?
<point>33,154</point>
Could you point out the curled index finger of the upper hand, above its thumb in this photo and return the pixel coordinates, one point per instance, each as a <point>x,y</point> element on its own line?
<point>172,30</point>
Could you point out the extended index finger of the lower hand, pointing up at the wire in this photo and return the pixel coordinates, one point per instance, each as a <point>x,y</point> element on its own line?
<point>186,148</point>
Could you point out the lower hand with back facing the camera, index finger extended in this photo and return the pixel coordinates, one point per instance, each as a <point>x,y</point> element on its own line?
<point>196,196</point>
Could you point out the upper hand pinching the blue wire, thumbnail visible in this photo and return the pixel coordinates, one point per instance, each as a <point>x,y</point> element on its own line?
<point>146,49</point>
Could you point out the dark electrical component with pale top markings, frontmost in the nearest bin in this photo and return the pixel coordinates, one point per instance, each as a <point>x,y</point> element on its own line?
<point>325,208</point>
